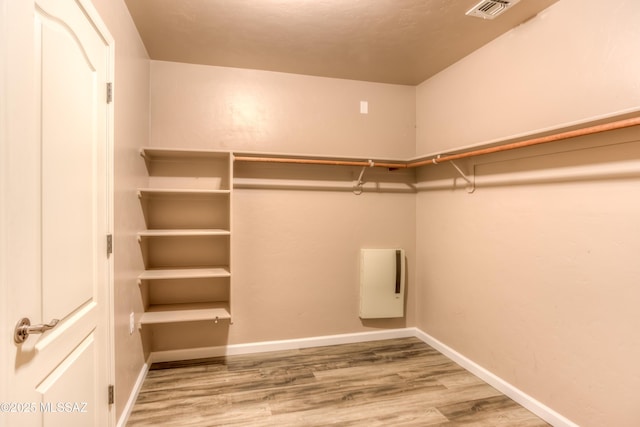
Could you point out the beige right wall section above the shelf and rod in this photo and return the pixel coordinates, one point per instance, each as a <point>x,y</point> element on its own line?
<point>572,63</point>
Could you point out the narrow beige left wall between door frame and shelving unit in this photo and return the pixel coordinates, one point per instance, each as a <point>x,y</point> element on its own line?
<point>131,97</point>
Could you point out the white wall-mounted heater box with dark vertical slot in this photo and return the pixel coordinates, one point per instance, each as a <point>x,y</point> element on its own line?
<point>382,280</point>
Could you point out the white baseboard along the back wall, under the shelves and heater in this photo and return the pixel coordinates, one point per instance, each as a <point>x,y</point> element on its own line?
<point>264,346</point>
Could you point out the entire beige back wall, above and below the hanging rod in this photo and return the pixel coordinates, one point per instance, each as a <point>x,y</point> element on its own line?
<point>295,252</point>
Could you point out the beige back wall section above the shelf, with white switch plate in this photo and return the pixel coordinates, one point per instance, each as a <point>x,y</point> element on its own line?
<point>250,110</point>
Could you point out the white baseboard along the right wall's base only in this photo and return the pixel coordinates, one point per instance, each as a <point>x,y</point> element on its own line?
<point>541,410</point>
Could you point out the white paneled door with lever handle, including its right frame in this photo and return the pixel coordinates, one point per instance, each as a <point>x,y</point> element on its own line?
<point>56,213</point>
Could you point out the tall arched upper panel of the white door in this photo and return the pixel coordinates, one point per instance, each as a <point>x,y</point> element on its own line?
<point>69,171</point>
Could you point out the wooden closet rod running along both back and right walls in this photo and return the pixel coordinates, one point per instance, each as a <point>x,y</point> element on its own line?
<point>589,130</point>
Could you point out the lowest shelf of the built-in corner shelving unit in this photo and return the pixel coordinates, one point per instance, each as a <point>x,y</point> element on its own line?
<point>191,312</point>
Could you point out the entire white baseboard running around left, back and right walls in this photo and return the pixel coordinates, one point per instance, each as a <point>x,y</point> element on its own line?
<point>541,410</point>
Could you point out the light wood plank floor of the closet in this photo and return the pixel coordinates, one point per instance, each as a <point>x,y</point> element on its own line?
<point>400,382</point>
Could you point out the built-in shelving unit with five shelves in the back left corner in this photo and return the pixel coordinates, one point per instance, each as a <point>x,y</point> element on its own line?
<point>186,245</point>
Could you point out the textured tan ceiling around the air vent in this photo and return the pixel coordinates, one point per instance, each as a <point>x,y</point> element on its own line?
<point>389,41</point>
